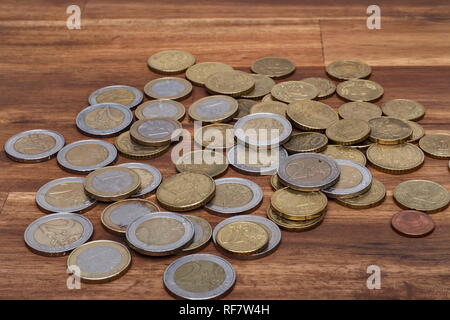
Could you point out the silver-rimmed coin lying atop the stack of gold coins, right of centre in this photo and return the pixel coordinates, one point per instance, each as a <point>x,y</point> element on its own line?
<point>308,171</point>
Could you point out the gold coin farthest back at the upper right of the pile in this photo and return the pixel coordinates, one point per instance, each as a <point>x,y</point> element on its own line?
<point>348,69</point>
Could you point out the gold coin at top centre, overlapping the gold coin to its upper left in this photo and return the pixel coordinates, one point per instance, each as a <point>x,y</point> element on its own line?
<point>233,83</point>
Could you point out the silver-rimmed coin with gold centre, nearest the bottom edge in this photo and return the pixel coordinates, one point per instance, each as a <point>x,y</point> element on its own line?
<point>199,277</point>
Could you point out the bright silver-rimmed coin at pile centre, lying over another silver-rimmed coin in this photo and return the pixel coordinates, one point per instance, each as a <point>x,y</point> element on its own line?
<point>267,130</point>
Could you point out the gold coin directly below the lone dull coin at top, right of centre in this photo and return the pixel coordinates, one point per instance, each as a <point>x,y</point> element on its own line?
<point>291,91</point>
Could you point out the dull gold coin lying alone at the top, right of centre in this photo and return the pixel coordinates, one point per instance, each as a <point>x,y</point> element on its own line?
<point>273,67</point>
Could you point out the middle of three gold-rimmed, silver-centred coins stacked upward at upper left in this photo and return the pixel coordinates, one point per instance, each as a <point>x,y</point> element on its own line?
<point>161,108</point>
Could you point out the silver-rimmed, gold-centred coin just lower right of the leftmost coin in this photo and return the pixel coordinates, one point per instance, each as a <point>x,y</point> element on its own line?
<point>85,156</point>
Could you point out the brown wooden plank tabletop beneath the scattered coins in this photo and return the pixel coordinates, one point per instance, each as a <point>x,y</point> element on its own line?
<point>48,72</point>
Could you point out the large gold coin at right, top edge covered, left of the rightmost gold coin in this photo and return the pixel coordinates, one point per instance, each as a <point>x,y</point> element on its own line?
<point>395,159</point>
